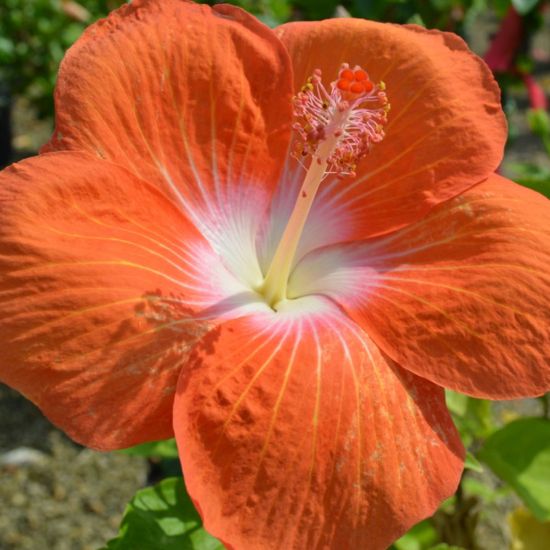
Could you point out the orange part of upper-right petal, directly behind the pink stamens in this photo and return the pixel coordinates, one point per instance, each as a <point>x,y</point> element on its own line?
<point>446,129</point>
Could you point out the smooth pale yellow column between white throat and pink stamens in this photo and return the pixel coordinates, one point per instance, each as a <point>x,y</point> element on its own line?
<point>274,287</point>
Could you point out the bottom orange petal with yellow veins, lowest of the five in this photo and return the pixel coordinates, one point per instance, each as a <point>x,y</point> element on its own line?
<point>301,434</point>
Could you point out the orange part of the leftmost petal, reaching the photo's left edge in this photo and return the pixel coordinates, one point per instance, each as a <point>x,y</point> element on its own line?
<point>97,297</point>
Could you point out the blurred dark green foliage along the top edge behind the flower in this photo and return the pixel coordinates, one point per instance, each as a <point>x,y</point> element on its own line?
<point>34,34</point>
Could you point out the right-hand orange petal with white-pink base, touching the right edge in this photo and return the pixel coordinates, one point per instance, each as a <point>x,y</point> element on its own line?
<point>462,297</point>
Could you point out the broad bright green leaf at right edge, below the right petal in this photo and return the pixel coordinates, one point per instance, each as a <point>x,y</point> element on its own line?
<point>519,454</point>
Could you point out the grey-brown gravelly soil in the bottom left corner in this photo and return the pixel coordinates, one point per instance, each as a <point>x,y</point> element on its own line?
<point>54,494</point>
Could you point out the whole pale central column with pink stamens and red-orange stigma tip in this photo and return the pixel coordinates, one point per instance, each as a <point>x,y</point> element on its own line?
<point>334,130</point>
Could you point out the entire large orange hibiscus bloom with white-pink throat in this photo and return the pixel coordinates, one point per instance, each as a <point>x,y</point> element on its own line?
<point>169,267</point>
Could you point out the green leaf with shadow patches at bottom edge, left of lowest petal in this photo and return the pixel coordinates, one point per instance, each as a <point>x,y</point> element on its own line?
<point>164,517</point>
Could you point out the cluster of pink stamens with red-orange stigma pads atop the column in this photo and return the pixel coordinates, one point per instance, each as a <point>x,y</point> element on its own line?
<point>350,116</point>
